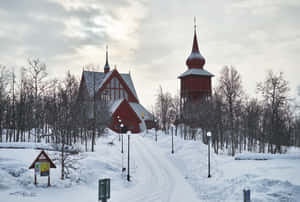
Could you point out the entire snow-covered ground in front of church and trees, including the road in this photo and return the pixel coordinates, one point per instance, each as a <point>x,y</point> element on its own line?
<point>156,174</point>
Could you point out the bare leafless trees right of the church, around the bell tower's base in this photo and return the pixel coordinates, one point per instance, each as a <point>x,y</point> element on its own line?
<point>237,121</point>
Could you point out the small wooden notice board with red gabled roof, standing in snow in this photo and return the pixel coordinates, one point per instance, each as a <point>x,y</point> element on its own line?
<point>42,165</point>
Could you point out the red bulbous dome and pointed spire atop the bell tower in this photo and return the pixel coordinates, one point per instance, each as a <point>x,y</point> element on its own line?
<point>195,60</point>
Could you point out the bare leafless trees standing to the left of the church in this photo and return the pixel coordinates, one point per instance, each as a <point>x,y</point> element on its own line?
<point>36,108</point>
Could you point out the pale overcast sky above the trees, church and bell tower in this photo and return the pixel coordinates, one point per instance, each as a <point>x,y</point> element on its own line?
<point>153,38</point>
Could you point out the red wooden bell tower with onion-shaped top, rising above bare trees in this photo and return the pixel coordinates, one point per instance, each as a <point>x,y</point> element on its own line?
<point>195,83</point>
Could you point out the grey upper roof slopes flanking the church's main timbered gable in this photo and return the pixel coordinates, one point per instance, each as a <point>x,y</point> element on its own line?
<point>101,78</point>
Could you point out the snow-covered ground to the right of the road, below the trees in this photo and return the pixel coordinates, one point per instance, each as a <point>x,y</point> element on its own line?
<point>276,179</point>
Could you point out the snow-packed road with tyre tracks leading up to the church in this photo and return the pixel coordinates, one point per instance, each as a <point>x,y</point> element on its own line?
<point>156,177</point>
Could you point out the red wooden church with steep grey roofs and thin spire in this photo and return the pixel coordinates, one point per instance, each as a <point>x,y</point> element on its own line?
<point>118,91</point>
